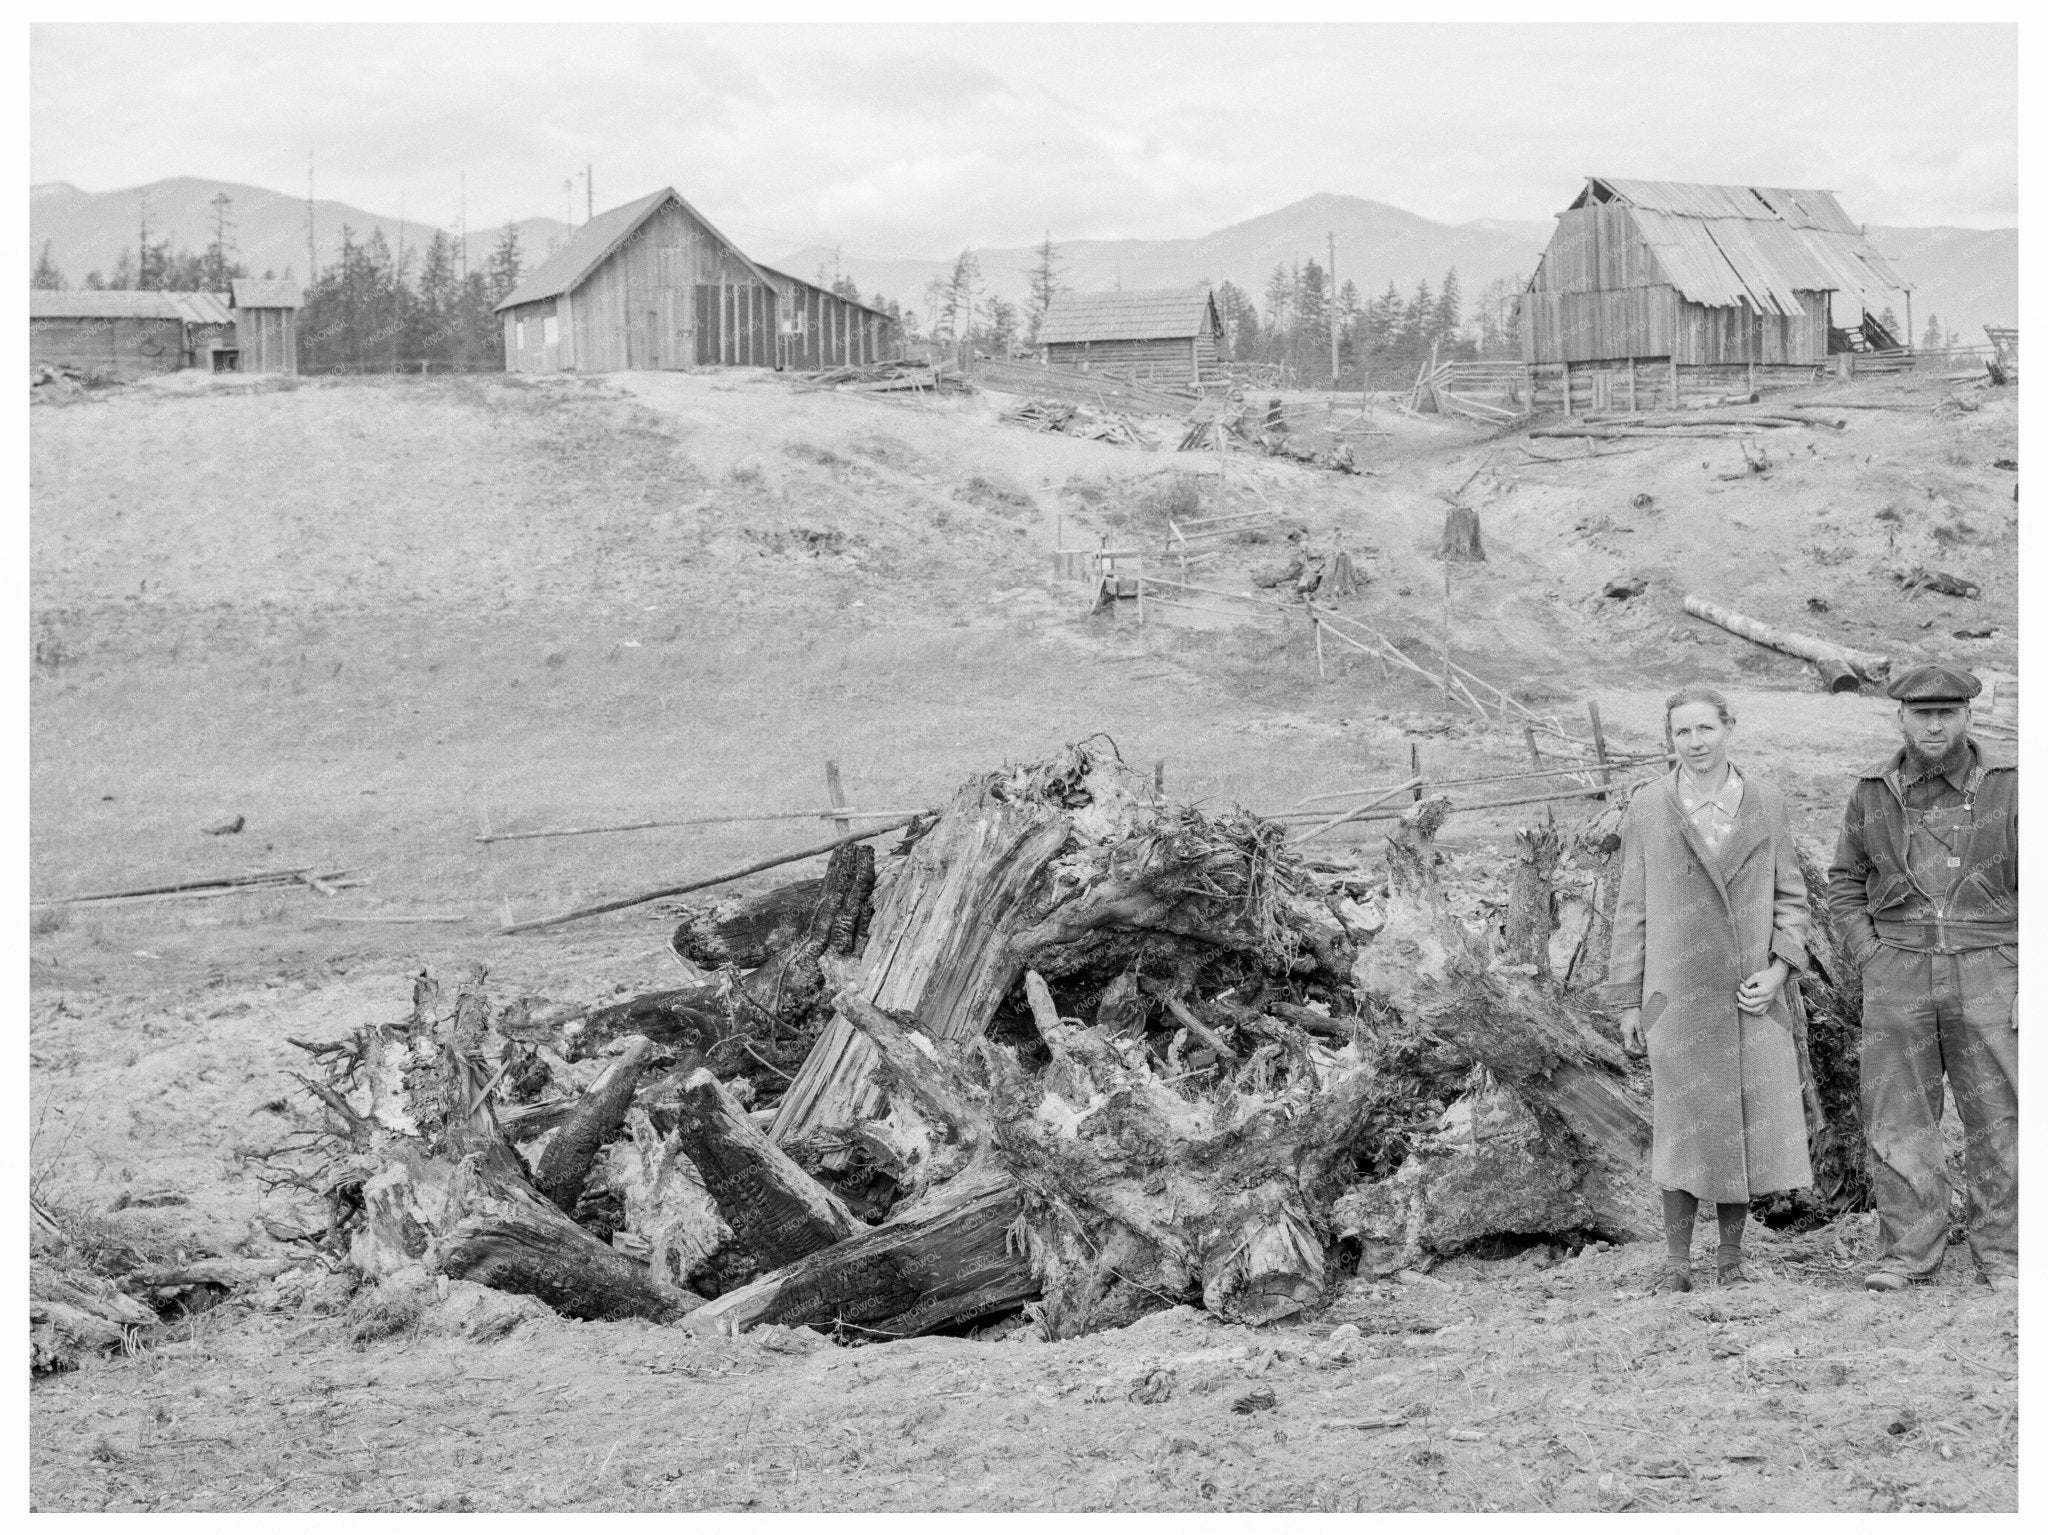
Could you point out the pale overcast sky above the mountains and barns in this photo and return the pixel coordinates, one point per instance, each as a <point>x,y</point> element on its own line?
<point>916,140</point>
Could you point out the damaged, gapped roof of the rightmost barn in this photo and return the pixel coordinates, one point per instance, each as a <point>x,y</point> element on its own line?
<point>1758,245</point>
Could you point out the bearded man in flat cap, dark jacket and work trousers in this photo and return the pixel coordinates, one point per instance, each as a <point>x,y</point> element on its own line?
<point>1926,893</point>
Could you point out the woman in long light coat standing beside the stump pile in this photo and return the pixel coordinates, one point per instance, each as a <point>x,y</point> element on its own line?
<point>1709,926</point>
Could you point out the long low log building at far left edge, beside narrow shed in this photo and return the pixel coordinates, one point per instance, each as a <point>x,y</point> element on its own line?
<point>128,335</point>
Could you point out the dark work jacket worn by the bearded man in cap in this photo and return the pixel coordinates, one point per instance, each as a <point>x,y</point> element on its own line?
<point>1873,889</point>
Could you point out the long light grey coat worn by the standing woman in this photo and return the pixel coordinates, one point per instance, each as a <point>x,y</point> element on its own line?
<point>1689,930</point>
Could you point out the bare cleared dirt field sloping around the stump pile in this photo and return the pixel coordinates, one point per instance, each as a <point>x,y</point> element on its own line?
<point>370,617</point>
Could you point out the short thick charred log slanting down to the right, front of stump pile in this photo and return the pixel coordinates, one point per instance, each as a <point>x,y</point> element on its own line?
<point>775,1211</point>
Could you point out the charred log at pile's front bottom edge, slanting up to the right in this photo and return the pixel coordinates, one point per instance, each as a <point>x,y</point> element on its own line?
<point>935,1262</point>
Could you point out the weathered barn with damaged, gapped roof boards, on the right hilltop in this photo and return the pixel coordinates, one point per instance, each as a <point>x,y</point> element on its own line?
<point>1658,290</point>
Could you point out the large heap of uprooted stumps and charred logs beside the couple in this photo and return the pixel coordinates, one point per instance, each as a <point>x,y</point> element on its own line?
<point>1066,1049</point>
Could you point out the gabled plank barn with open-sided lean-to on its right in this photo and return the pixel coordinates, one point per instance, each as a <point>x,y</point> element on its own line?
<point>654,286</point>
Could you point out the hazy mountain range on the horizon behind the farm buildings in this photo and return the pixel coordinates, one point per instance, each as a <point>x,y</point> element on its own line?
<point>1967,277</point>
